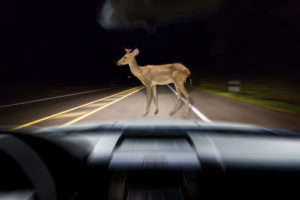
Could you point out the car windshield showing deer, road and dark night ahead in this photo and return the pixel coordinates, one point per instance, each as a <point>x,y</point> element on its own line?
<point>73,62</point>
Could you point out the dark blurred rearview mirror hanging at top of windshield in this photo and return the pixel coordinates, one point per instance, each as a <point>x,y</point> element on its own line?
<point>128,14</point>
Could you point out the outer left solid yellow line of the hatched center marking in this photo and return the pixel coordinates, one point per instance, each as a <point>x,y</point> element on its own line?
<point>63,112</point>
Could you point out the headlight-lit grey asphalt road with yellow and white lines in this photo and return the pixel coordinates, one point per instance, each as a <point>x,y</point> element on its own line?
<point>123,103</point>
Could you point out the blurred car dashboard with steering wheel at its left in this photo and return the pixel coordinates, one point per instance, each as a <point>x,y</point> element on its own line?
<point>149,160</point>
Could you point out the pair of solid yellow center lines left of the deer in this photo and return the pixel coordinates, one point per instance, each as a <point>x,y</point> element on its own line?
<point>115,99</point>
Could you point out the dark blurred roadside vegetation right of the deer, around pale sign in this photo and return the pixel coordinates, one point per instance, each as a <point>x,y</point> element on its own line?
<point>277,94</point>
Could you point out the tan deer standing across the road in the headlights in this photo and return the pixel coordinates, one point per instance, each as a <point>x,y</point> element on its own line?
<point>152,75</point>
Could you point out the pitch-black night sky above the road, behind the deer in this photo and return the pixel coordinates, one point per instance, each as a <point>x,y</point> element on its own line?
<point>60,41</point>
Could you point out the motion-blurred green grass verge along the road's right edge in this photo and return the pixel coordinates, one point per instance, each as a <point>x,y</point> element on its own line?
<point>262,95</point>
